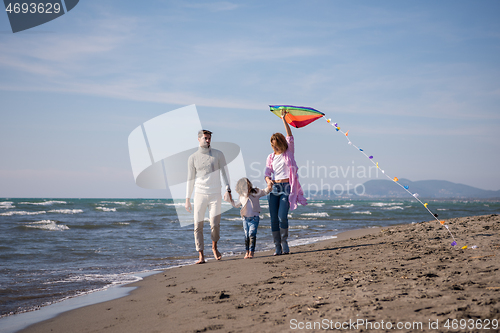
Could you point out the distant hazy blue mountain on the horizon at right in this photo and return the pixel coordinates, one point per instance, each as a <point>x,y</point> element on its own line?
<point>425,188</point>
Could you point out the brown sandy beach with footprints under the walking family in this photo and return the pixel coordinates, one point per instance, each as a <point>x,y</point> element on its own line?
<point>403,278</point>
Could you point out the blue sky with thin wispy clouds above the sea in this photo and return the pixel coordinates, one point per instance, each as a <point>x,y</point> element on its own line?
<point>417,84</point>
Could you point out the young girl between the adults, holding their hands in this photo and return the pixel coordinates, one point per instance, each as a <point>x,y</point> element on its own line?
<point>250,209</point>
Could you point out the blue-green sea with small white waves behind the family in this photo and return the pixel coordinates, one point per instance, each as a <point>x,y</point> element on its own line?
<point>55,249</point>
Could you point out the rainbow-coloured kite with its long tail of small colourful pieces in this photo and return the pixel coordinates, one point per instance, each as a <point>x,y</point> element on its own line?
<point>299,116</point>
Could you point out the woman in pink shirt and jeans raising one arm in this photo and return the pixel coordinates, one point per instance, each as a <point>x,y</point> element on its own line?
<point>281,173</point>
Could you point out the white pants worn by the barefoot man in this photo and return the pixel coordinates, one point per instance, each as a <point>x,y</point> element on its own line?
<point>201,203</point>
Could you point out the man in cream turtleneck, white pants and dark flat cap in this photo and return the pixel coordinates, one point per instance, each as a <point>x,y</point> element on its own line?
<point>205,168</point>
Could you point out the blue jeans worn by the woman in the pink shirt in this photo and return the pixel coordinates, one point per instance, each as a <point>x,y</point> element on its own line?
<point>279,206</point>
